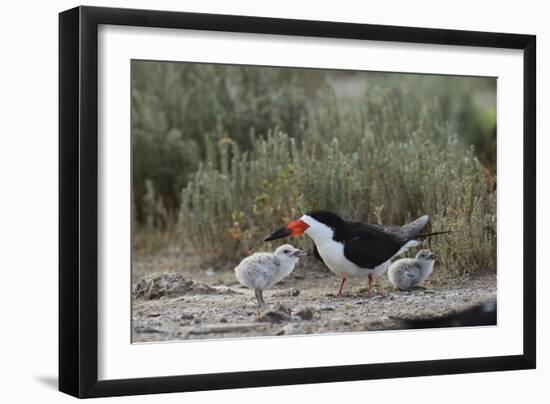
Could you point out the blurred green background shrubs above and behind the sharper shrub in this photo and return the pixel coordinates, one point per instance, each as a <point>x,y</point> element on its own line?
<point>180,111</point>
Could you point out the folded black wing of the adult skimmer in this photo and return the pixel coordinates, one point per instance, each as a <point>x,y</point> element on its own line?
<point>368,246</point>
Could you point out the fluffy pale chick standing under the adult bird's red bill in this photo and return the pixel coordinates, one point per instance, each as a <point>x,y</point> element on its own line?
<point>262,270</point>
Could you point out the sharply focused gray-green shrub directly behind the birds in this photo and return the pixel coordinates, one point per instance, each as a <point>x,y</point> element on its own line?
<point>384,158</point>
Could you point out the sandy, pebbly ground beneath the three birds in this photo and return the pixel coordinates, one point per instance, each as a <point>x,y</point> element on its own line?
<point>173,302</point>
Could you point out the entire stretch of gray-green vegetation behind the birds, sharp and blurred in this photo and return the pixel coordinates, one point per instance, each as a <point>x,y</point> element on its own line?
<point>235,152</point>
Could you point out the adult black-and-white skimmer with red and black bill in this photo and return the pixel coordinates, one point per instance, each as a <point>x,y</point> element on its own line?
<point>352,249</point>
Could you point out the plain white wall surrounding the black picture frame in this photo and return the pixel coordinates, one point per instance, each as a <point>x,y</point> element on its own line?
<point>28,198</point>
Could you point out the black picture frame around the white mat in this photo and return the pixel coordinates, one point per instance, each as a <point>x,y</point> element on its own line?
<point>78,200</point>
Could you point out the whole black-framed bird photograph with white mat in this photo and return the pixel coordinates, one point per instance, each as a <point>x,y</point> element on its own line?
<point>250,201</point>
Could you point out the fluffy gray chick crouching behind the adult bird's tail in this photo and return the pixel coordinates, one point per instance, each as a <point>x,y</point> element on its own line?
<point>409,272</point>
